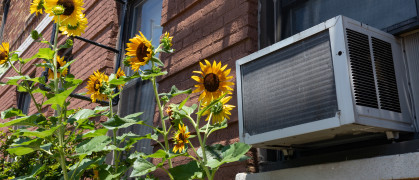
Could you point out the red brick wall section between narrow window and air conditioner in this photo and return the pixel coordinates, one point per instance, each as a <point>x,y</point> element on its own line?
<point>214,30</point>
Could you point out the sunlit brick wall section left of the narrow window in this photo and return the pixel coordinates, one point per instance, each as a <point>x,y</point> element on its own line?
<point>102,28</point>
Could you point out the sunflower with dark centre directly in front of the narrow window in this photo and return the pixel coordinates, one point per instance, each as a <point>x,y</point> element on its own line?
<point>140,51</point>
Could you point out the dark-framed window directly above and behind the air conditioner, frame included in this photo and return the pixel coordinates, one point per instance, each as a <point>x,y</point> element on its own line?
<point>289,17</point>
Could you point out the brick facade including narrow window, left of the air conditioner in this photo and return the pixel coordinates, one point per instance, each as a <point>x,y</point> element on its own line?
<point>214,30</point>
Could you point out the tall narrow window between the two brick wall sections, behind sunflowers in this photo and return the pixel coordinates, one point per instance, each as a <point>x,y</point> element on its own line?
<point>137,95</point>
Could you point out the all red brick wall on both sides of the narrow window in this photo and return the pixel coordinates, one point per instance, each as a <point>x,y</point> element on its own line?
<point>202,29</point>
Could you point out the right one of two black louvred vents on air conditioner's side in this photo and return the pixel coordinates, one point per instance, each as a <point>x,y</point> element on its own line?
<point>386,76</point>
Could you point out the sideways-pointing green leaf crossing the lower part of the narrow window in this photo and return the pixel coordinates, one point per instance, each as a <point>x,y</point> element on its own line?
<point>116,122</point>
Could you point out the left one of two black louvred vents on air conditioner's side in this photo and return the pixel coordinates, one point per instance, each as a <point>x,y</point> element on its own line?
<point>361,67</point>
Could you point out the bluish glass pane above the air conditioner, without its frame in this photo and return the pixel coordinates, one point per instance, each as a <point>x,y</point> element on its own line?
<point>376,13</point>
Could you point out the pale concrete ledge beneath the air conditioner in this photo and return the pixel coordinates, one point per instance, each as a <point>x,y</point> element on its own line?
<point>400,166</point>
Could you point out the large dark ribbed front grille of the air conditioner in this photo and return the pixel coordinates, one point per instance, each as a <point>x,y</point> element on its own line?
<point>289,87</point>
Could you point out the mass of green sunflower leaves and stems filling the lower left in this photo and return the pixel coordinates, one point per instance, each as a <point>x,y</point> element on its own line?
<point>71,145</point>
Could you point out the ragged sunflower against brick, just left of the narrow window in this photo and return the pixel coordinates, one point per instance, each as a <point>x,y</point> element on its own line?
<point>96,86</point>
